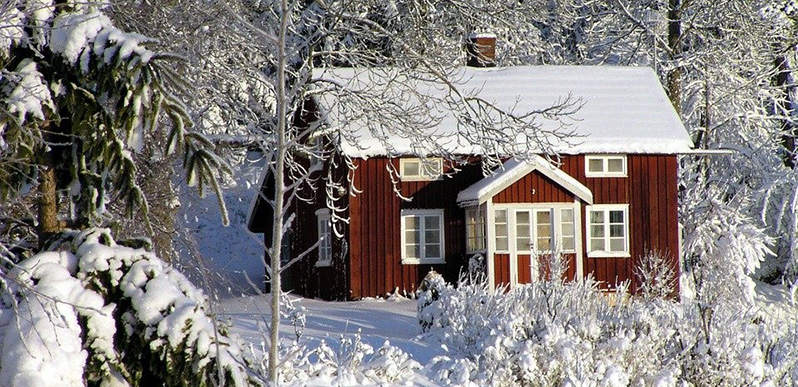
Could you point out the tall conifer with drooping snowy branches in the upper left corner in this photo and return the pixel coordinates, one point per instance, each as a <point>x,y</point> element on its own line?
<point>78,97</point>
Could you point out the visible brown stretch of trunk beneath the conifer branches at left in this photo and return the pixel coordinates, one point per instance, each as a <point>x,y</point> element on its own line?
<point>47,200</point>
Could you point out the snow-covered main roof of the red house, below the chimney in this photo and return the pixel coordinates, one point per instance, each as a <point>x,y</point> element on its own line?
<point>625,109</point>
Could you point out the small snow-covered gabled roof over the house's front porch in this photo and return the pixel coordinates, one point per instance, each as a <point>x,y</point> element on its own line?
<point>512,171</point>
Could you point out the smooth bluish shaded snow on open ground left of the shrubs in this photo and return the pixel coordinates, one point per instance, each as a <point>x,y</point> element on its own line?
<point>376,320</point>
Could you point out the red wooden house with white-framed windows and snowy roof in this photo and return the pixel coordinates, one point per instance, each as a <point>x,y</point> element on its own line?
<point>610,198</point>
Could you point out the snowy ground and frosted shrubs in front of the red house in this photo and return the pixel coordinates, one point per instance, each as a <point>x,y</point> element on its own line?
<point>492,343</point>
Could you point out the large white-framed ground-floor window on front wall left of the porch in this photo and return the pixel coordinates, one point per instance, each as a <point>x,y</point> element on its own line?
<point>422,236</point>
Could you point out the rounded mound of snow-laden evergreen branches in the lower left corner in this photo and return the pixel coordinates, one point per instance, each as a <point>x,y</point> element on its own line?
<point>109,315</point>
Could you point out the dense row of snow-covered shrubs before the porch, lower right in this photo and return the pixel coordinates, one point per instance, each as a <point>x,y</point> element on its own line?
<point>554,333</point>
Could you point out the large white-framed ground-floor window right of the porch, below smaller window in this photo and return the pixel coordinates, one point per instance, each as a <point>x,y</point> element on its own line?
<point>608,230</point>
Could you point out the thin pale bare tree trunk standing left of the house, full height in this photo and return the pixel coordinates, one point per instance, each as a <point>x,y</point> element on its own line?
<point>279,193</point>
